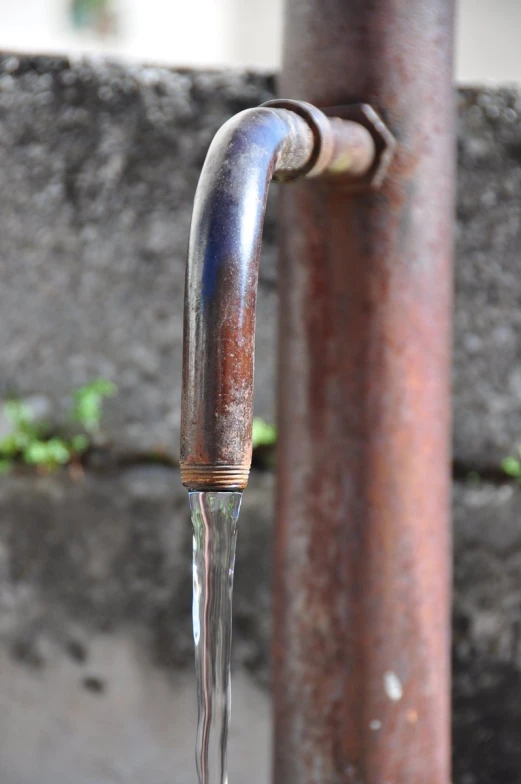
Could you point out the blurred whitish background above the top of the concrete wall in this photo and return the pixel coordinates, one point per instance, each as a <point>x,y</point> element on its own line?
<point>229,32</point>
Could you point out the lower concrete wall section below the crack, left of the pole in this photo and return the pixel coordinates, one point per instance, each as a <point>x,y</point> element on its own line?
<point>96,673</point>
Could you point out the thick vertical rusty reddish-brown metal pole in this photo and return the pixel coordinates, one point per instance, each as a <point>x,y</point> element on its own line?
<point>362,583</point>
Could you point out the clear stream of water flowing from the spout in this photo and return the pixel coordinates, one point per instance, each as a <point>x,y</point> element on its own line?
<point>214,519</point>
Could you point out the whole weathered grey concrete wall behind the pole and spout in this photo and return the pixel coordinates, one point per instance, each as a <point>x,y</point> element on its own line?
<point>98,166</point>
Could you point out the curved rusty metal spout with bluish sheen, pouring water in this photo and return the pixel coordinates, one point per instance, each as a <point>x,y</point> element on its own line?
<point>285,140</point>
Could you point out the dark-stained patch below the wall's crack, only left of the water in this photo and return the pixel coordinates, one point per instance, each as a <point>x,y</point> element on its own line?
<point>101,551</point>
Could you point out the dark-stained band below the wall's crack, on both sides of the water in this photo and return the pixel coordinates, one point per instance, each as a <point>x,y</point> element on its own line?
<point>102,552</point>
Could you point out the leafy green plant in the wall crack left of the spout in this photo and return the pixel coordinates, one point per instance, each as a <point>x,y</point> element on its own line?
<point>30,441</point>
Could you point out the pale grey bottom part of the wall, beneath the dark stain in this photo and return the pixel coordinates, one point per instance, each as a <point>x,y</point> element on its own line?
<point>114,720</point>
